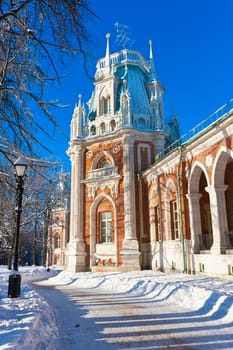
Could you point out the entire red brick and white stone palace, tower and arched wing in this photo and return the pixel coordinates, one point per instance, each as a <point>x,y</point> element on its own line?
<point>142,197</point>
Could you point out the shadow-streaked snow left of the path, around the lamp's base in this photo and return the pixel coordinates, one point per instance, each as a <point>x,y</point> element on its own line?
<point>28,321</point>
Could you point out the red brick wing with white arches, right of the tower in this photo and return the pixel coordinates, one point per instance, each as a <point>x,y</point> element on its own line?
<point>198,175</point>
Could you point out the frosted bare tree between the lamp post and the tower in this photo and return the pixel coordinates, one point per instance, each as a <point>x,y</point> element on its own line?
<point>41,196</point>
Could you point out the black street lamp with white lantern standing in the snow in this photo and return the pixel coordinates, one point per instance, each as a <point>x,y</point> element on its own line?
<point>15,279</point>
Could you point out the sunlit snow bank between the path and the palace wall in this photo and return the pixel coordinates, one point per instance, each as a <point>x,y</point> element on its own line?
<point>214,296</point>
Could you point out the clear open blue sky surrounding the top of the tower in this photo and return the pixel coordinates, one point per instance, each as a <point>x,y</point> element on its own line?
<point>193,55</point>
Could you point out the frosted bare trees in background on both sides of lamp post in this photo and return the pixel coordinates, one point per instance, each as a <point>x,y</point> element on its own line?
<point>42,194</point>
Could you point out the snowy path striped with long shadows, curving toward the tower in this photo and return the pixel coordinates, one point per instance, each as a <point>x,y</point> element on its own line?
<point>94,318</point>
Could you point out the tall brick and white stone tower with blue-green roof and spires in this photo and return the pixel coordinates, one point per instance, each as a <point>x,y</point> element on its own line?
<point>115,140</point>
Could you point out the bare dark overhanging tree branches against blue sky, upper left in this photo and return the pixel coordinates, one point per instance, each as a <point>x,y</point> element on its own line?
<point>34,36</point>
